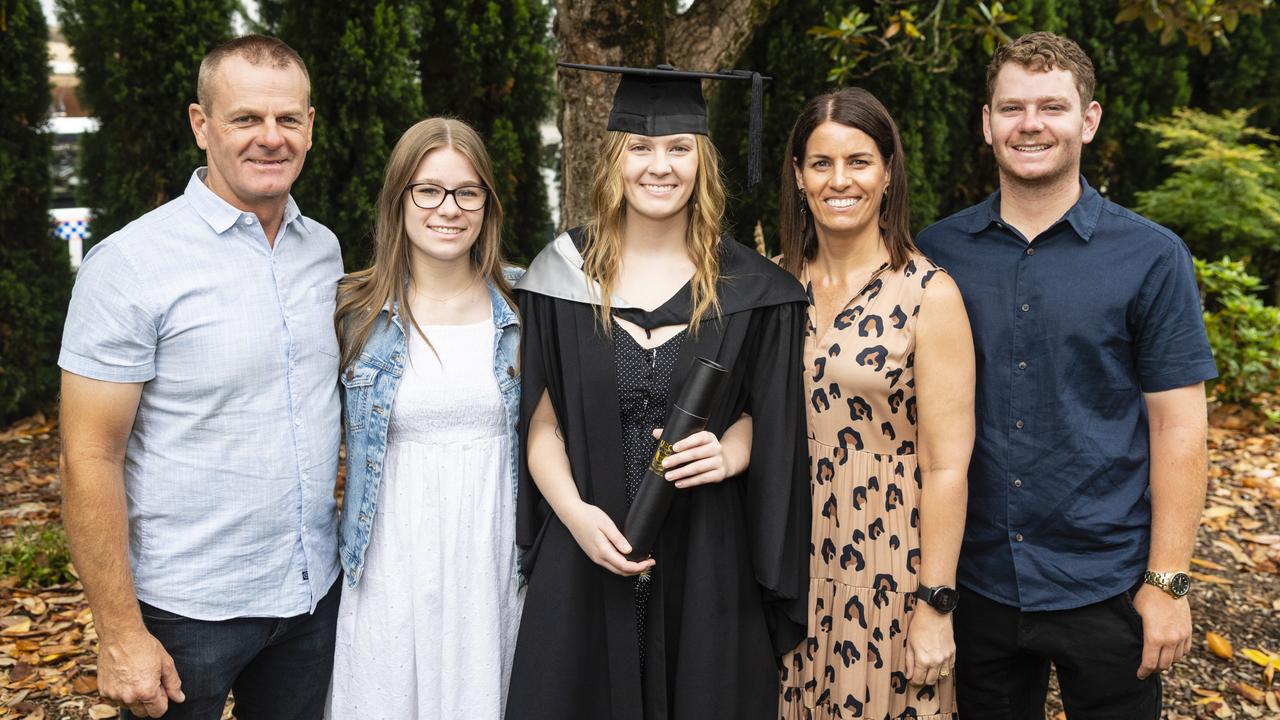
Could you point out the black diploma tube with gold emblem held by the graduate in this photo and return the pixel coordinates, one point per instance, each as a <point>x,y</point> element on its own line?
<point>655,495</point>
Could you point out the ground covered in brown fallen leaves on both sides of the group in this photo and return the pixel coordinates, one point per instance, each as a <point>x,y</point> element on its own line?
<point>48,642</point>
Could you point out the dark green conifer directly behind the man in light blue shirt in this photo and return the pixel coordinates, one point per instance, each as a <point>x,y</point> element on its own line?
<point>143,154</point>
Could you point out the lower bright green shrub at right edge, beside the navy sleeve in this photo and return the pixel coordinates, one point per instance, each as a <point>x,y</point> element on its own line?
<point>1244,332</point>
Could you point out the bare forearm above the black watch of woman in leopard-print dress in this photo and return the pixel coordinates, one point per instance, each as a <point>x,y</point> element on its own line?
<point>943,512</point>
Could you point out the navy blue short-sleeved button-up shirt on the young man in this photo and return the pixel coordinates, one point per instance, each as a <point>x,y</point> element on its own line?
<point>1069,330</point>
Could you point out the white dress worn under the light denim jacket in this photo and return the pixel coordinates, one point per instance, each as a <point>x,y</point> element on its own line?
<point>431,631</point>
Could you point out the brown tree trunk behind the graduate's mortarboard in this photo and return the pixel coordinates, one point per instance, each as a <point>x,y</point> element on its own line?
<point>708,37</point>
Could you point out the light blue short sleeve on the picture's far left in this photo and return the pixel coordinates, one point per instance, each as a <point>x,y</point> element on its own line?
<point>111,335</point>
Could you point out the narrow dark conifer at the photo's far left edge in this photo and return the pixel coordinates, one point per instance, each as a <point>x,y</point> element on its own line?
<point>35,275</point>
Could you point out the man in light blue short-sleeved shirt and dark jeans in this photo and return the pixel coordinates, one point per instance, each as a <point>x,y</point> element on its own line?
<point>200,418</point>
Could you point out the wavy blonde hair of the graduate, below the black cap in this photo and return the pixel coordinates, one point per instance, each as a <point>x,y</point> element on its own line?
<point>602,256</point>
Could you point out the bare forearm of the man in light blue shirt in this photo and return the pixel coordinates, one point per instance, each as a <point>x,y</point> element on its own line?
<point>97,521</point>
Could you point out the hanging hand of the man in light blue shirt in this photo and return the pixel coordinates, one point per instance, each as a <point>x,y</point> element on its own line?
<point>136,671</point>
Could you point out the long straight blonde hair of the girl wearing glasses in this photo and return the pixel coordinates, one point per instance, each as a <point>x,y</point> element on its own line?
<point>364,294</point>
